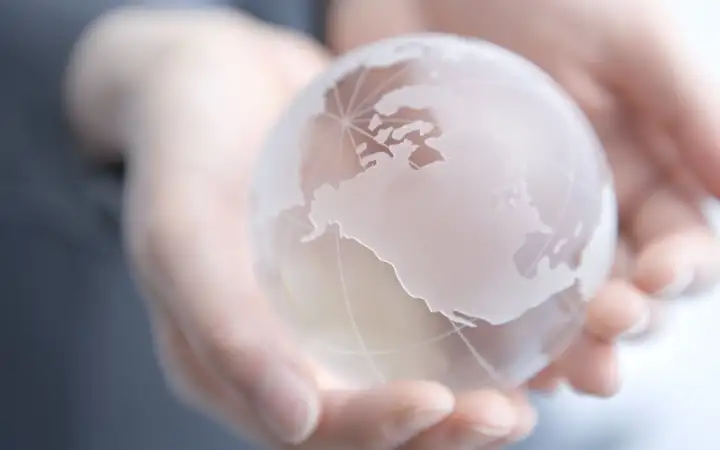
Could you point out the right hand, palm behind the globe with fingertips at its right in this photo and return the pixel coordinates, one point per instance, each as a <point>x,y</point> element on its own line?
<point>625,65</point>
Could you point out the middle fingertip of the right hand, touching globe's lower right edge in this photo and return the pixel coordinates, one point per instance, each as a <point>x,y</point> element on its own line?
<point>618,308</point>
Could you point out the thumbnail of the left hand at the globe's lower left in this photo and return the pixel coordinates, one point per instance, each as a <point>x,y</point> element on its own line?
<point>288,405</point>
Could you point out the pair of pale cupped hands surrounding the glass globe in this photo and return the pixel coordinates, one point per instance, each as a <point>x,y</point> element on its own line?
<point>189,98</point>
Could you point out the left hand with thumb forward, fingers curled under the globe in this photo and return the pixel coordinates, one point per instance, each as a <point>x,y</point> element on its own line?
<point>196,94</point>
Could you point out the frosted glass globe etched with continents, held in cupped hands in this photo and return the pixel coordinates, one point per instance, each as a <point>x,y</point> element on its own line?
<point>433,207</point>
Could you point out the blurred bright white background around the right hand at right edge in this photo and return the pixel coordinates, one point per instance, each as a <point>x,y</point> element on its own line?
<point>671,394</point>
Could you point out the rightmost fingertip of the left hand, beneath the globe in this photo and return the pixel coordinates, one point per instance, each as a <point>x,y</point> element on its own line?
<point>480,419</point>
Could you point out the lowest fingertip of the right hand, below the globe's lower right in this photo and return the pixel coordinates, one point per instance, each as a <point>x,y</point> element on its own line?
<point>590,366</point>
